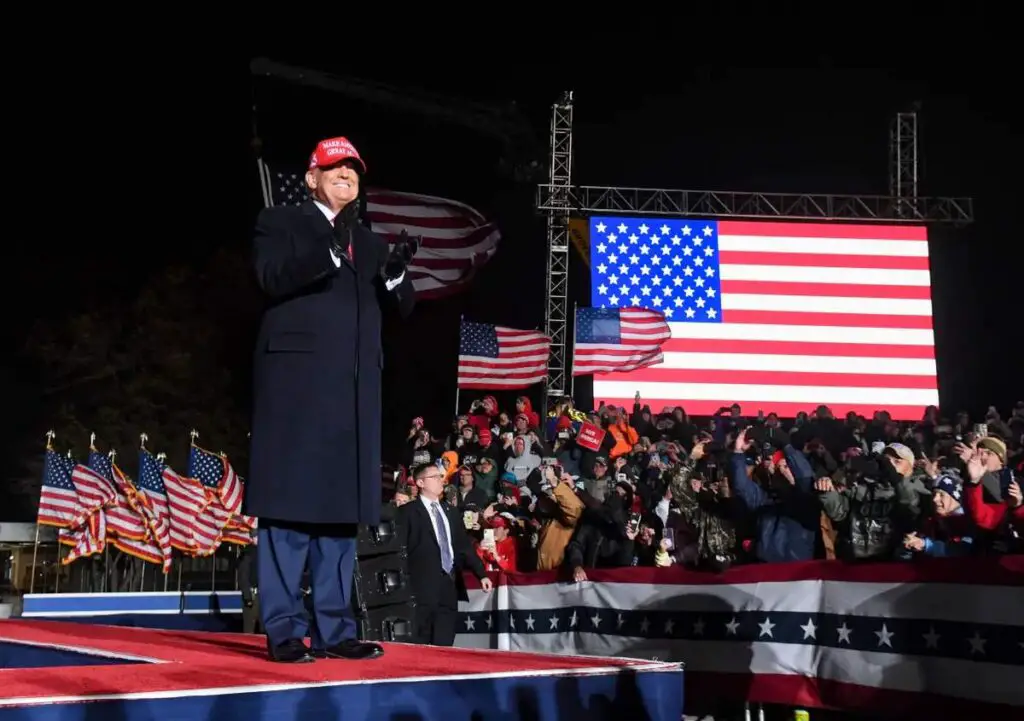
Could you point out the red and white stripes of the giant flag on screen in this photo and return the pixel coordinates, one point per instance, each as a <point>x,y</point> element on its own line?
<point>812,315</point>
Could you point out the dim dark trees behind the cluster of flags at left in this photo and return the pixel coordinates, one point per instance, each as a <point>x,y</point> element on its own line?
<point>174,358</point>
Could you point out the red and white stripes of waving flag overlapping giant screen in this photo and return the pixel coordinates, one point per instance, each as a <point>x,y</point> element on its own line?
<point>642,331</point>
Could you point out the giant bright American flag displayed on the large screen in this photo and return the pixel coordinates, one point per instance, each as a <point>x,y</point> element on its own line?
<point>774,316</point>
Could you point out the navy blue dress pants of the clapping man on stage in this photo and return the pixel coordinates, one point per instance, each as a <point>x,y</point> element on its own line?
<point>284,552</point>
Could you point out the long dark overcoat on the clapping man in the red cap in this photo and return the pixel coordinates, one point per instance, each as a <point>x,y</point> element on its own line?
<point>316,455</point>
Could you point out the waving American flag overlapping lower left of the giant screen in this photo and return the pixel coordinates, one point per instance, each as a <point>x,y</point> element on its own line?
<point>618,341</point>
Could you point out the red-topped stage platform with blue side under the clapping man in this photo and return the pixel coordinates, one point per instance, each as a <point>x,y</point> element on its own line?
<point>66,671</point>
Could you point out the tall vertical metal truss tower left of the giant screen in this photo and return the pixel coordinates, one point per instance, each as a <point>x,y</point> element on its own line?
<point>560,203</point>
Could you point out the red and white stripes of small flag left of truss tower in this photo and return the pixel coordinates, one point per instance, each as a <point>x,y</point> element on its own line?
<point>523,361</point>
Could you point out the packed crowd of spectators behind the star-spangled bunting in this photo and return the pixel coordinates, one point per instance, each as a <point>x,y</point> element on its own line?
<point>665,489</point>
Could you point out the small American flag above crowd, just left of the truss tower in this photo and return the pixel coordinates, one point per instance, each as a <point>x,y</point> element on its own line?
<point>494,357</point>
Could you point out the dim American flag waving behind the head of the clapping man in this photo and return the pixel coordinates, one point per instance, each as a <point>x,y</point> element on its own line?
<point>457,240</point>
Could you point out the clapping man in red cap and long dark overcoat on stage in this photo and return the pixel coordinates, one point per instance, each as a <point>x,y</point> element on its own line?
<point>315,464</point>
